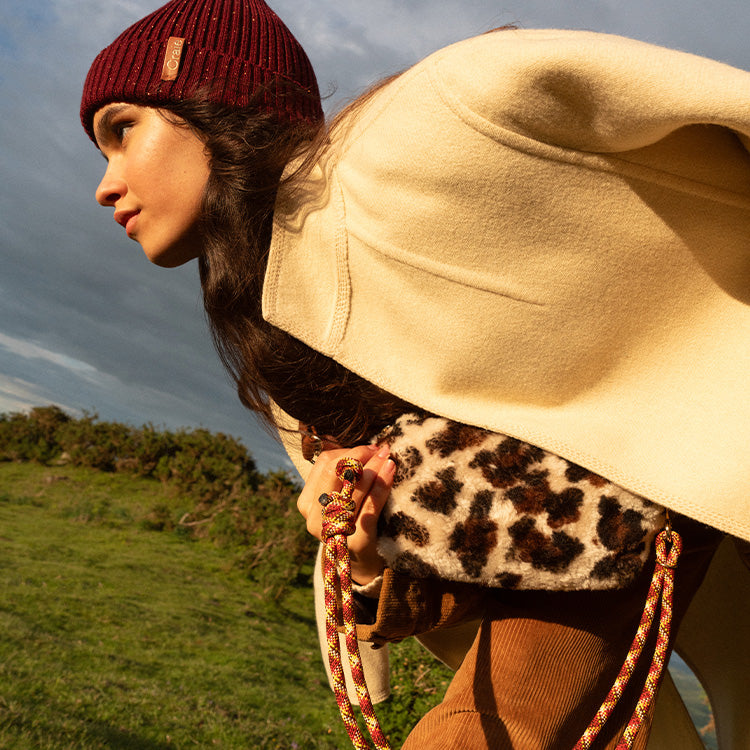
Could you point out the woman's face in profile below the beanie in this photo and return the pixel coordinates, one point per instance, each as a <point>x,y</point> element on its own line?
<point>156,174</point>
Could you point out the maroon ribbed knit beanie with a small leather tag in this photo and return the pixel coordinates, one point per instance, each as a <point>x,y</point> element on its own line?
<point>229,47</point>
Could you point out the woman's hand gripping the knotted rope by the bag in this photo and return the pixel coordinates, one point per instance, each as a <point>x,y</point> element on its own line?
<point>369,497</point>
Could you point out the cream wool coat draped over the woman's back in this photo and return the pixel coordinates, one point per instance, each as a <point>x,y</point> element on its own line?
<point>547,234</point>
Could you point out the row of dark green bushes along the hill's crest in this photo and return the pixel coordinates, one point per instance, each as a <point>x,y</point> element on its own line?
<point>215,489</point>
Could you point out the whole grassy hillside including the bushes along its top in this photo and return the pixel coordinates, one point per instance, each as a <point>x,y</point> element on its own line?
<point>163,599</point>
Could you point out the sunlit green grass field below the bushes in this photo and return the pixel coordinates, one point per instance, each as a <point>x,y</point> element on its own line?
<point>115,636</point>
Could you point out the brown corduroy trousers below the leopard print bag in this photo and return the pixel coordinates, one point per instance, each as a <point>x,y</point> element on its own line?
<point>543,662</point>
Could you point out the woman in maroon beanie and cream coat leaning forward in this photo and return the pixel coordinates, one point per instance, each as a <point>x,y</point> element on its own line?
<point>542,234</point>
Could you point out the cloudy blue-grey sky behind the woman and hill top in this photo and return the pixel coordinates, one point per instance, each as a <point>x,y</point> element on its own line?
<point>85,321</point>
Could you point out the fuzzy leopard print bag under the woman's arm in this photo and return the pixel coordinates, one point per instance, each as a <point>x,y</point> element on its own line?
<point>477,506</point>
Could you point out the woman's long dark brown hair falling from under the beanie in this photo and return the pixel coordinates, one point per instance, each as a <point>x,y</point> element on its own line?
<point>249,150</point>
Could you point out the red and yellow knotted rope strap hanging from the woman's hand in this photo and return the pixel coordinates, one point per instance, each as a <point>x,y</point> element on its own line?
<point>338,523</point>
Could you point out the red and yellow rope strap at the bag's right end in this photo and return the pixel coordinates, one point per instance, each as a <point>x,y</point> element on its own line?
<point>668,548</point>
